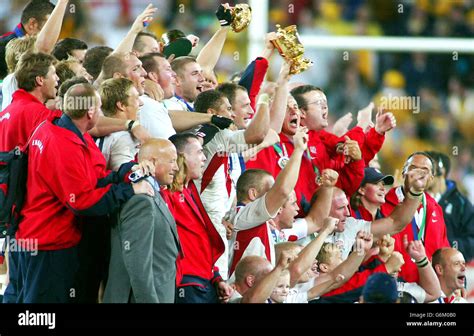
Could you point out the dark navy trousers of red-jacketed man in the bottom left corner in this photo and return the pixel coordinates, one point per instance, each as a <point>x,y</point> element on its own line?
<point>42,276</point>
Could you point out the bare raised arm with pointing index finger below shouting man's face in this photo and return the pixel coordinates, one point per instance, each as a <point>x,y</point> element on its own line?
<point>286,180</point>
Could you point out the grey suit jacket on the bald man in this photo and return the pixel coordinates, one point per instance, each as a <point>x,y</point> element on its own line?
<point>144,248</point>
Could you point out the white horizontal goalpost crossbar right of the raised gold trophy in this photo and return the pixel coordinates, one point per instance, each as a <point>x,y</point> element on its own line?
<point>394,44</point>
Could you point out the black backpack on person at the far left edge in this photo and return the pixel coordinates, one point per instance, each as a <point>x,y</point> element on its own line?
<point>13,173</point>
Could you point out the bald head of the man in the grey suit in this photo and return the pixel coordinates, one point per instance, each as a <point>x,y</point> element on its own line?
<point>163,154</point>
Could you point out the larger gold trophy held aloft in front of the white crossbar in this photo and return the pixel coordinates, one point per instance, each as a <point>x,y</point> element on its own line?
<point>289,46</point>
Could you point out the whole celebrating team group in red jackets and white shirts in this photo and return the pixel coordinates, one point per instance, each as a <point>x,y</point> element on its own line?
<point>148,181</point>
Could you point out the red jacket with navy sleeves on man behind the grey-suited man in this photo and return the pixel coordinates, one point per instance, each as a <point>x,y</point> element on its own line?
<point>63,185</point>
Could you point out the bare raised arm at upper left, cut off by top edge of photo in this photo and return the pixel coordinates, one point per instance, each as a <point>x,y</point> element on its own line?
<point>48,36</point>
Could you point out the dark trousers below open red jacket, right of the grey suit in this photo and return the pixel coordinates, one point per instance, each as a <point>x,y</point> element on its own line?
<point>196,290</point>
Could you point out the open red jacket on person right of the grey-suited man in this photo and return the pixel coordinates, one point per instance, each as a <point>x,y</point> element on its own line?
<point>200,242</point>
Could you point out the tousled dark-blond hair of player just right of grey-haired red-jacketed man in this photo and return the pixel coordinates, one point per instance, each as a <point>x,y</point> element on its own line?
<point>111,92</point>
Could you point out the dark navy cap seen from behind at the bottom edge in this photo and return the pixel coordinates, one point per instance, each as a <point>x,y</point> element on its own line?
<point>380,288</point>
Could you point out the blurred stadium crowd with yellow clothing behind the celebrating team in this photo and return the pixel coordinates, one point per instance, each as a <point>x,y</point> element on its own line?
<point>443,82</point>
